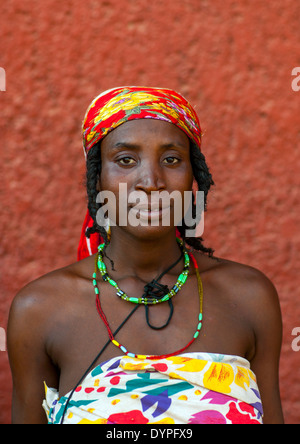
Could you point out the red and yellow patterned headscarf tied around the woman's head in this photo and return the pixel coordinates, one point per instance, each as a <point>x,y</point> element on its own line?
<point>119,105</point>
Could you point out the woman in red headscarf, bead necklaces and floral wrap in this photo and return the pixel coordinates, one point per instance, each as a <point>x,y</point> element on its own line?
<point>147,351</point>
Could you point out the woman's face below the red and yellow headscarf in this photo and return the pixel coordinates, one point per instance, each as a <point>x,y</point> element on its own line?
<point>144,158</point>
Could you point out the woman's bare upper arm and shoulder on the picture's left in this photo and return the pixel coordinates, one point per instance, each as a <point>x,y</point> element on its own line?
<point>30,364</point>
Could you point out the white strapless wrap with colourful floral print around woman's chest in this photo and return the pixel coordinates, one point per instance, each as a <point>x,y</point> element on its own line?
<point>193,388</point>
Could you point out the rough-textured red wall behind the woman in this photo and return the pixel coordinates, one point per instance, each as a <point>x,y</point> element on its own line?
<point>232,59</point>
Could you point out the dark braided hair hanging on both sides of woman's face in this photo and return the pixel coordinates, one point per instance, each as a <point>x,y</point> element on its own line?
<point>201,174</point>
